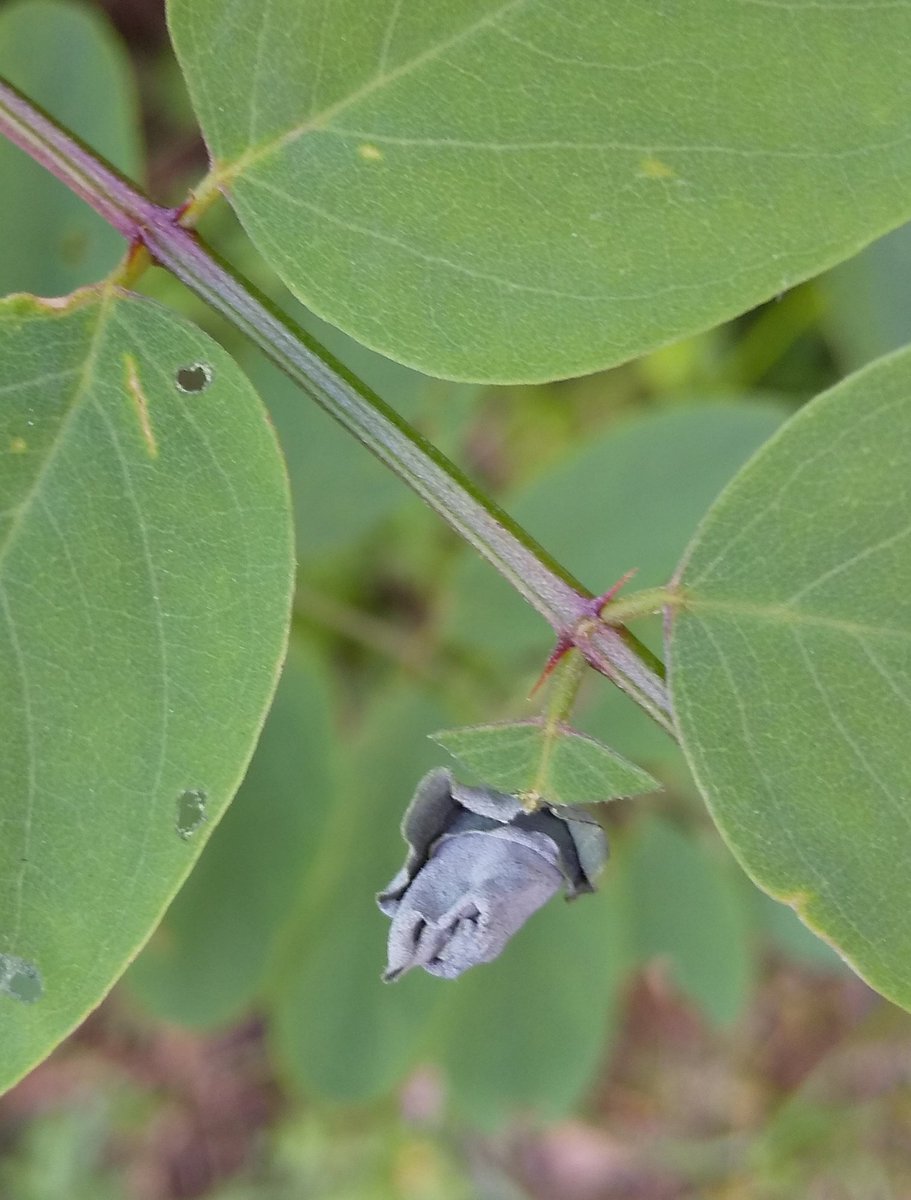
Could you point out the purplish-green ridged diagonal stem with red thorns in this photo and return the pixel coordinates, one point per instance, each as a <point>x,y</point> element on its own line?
<point>544,583</point>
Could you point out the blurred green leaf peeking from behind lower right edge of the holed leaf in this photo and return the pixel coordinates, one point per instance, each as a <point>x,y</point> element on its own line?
<point>209,959</point>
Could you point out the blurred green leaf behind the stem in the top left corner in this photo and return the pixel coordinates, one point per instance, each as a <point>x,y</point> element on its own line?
<point>65,58</point>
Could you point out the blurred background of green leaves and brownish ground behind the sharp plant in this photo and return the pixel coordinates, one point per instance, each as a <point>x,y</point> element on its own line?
<point>676,1035</point>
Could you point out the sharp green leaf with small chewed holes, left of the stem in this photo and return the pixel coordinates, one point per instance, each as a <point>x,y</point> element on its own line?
<point>145,590</point>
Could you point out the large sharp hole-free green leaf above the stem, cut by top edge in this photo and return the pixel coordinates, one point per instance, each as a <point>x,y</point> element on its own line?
<point>512,190</point>
